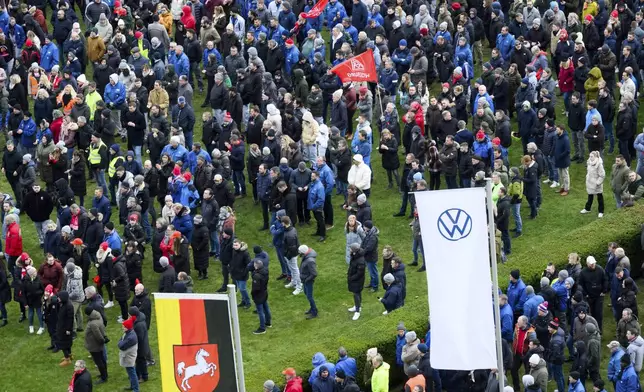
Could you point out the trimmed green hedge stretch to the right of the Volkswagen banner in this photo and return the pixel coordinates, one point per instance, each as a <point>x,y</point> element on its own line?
<point>623,226</point>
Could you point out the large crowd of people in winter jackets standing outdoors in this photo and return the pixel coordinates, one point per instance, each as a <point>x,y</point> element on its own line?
<point>114,102</point>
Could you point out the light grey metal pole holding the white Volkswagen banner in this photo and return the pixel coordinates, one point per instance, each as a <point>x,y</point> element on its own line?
<point>495,283</point>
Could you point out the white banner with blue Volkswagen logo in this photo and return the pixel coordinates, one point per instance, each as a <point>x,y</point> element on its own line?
<point>454,230</point>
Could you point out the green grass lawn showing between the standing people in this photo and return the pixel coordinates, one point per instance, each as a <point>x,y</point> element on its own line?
<point>293,340</point>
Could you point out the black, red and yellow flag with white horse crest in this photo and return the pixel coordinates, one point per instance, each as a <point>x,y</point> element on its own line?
<point>195,343</point>
